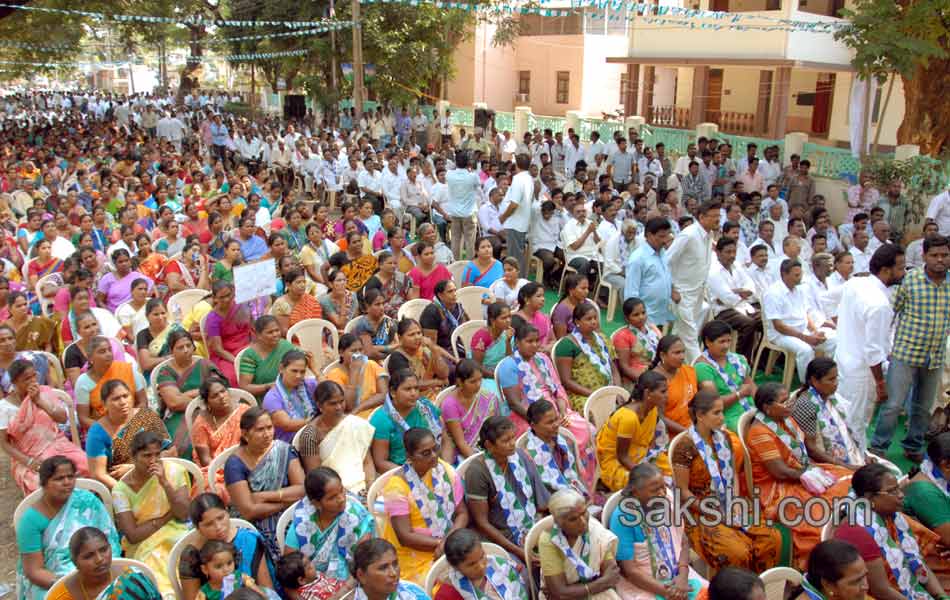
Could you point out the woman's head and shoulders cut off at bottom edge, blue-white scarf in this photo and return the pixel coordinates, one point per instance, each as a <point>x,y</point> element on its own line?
<point>376,570</point>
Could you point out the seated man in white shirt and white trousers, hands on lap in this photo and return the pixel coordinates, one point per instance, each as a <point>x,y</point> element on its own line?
<point>788,325</point>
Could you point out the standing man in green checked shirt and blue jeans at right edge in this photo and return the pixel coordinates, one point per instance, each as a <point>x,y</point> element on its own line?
<point>922,309</point>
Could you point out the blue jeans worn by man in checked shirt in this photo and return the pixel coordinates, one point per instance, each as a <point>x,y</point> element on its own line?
<point>915,387</point>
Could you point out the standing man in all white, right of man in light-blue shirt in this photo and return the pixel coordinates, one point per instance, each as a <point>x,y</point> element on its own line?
<point>690,257</point>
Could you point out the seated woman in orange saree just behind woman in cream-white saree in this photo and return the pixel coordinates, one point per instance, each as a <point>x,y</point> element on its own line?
<point>364,381</point>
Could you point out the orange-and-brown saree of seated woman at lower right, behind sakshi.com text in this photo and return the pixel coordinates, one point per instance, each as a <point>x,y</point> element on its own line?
<point>765,446</point>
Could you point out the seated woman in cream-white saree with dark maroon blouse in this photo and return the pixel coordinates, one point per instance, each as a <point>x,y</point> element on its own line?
<point>338,440</point>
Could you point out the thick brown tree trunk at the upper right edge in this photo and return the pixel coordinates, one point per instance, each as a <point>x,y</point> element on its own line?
<point>926,111</point>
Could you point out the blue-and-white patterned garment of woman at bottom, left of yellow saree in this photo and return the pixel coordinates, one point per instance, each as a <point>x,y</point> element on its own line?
<point>330,550</point>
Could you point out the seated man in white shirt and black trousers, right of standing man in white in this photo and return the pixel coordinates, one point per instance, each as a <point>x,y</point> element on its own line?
<point>732,292</point>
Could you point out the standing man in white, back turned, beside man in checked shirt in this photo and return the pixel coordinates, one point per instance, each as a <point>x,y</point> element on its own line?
<point>864,330</point>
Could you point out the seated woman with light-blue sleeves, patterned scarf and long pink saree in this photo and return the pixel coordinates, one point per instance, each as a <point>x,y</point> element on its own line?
<point>528,376</point>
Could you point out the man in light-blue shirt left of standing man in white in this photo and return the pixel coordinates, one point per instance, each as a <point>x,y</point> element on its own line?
<point>648,274</point>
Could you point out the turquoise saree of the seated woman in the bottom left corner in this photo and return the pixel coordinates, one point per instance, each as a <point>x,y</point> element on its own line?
<point>82,509</point>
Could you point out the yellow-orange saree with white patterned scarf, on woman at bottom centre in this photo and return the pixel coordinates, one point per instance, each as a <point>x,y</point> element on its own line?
<point>430,502</point>
